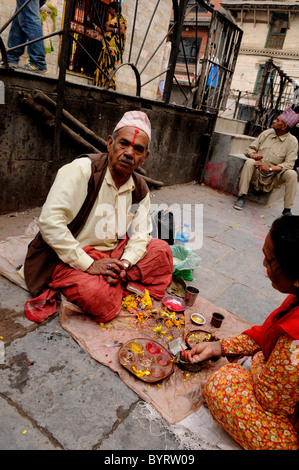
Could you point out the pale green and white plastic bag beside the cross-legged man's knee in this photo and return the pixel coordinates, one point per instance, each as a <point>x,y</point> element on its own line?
<point>184,260</point>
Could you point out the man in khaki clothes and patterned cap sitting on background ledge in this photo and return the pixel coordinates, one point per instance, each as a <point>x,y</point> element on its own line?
<point>271,159</point>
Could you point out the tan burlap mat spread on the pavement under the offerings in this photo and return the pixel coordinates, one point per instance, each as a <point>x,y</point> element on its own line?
<point>178,395</point>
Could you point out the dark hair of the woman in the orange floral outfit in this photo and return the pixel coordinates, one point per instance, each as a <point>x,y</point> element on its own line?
<point>285,236</point>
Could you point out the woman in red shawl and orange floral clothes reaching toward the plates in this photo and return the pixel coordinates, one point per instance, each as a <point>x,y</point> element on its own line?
<point>259,408</point>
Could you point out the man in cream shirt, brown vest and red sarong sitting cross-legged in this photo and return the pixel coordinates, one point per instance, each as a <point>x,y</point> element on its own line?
<point>94,231</point>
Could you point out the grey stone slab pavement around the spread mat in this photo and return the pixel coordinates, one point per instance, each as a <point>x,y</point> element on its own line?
<point>55,396</point>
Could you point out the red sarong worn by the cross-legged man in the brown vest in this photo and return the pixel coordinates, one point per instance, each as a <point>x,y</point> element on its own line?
<point>97,297</point>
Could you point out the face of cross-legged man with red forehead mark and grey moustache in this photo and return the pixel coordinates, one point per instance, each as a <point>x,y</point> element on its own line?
<point>128,151</point>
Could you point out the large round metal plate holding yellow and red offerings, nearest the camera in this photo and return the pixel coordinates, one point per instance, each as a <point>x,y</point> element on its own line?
<point>146,359</point>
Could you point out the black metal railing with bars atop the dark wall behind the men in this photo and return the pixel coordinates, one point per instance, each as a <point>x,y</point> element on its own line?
<point>224,38</point>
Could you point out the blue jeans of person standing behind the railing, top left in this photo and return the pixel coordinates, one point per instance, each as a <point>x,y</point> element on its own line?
<point>26,27</point>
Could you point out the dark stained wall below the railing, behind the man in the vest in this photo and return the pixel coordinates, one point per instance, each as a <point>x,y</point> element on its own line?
<point>178,150</point>
